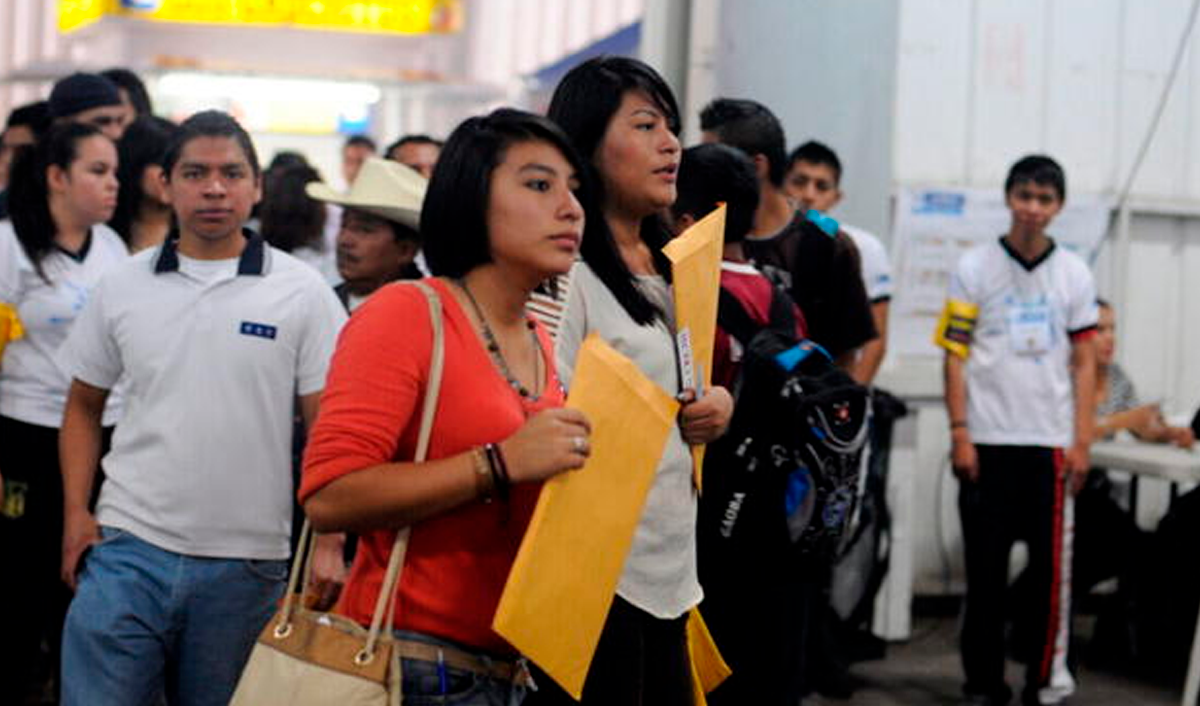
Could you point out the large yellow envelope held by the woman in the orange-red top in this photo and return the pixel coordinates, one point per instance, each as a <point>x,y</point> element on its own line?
<point>566,575</point>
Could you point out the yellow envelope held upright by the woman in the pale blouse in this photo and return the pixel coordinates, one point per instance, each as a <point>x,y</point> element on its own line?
<point>697,273</point>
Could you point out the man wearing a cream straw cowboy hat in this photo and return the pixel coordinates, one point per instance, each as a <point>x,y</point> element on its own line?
<point>379,242</point>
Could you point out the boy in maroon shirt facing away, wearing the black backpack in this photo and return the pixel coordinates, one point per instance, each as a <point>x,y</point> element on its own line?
<point>749,578</point>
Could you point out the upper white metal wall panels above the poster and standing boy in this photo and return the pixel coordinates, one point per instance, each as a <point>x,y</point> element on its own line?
<point>982,82</point>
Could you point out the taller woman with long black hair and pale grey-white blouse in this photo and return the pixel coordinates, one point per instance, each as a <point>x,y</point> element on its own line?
<point>625,119</point>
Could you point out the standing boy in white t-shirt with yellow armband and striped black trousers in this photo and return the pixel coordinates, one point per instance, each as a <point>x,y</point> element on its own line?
<point>1018,331</point>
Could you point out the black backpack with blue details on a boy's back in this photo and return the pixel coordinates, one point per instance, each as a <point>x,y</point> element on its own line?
<point>789,472</point>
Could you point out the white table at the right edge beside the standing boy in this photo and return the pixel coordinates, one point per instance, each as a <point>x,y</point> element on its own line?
<point>1171,464</point>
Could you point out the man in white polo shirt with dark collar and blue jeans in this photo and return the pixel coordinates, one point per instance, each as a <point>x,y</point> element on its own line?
<point>215,334</point>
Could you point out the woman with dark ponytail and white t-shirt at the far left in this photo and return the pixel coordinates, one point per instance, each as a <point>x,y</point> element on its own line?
<point>53,252</point>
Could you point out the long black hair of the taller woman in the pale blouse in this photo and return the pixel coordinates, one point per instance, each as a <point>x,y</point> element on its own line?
<point>584,105</point>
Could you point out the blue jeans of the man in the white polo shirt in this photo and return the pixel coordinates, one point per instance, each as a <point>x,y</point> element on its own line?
<point>147,623</point>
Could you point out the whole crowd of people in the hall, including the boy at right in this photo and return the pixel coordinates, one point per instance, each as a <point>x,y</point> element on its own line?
<point>179,368</point>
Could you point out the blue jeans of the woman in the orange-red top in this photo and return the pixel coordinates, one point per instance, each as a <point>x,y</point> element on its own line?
<point>424,686</point>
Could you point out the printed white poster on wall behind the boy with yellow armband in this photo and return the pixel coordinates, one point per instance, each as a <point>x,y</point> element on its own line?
<point>934,228</point>
